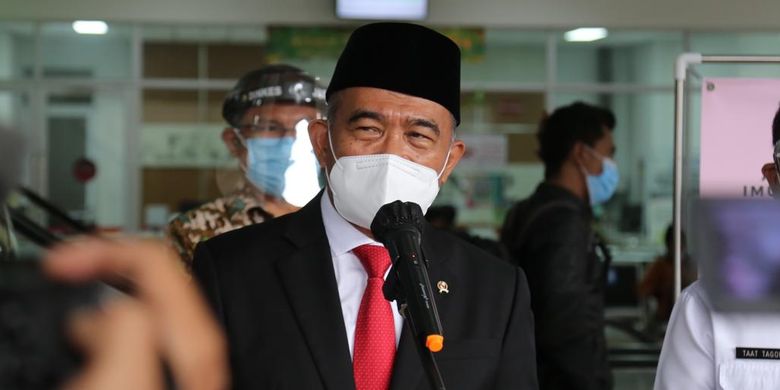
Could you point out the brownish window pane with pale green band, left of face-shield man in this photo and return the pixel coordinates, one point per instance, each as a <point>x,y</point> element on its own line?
<point>184,161</point>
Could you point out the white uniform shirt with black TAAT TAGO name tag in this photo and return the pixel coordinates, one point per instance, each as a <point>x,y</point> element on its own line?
<point>700,348</point>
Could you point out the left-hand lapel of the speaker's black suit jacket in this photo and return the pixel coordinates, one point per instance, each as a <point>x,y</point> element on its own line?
<point>310,285</point>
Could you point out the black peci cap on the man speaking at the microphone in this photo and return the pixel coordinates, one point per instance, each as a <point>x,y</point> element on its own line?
<point>401,57</point>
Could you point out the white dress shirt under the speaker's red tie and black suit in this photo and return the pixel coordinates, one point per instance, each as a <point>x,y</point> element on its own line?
<point>351,277</point>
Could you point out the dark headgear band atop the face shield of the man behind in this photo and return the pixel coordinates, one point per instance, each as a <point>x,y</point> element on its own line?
<point>277,83</point>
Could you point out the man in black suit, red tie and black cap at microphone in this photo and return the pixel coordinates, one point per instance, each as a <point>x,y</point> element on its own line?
<point>297,295</point>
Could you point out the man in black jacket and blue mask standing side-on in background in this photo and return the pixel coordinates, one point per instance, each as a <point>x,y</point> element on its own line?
<point>549,235</point>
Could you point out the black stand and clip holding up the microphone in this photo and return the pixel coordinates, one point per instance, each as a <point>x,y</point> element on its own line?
<point>393,292</point>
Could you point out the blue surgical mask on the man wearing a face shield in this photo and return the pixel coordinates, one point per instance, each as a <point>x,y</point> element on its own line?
<point>267,161</point>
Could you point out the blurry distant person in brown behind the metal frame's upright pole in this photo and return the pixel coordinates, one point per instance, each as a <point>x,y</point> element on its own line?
<point>658,281</point>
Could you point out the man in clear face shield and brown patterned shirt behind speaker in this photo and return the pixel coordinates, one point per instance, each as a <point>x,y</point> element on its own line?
<point>267,112</point>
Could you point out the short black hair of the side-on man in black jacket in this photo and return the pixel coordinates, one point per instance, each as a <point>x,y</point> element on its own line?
<point>567,125</point>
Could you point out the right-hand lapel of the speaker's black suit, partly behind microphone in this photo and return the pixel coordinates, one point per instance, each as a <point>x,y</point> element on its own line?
<point>408,372</point>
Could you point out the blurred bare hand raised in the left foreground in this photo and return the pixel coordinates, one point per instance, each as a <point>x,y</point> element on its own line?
<point>127,338</point>
